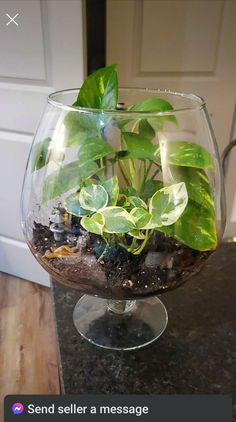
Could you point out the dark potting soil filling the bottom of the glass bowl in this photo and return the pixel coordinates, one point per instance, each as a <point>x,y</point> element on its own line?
<point>112,272</point>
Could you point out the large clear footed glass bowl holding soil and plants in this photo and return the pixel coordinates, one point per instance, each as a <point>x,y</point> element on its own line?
<point>123,205</point>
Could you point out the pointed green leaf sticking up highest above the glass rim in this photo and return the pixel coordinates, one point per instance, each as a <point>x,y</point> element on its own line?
<point>99,90</point>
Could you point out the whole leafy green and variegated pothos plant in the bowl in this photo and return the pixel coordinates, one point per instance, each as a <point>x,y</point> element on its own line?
<point>127,211</point>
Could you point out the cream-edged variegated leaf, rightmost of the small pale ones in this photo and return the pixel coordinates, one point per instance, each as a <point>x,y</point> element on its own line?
<point>167,205</point>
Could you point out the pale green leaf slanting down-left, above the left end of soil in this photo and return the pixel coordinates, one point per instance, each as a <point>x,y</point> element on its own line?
<point>66,178</point>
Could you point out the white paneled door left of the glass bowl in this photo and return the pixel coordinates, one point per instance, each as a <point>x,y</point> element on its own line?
<point>41,53</point>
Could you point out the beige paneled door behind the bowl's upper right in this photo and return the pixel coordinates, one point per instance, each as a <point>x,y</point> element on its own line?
<point>182,45</point>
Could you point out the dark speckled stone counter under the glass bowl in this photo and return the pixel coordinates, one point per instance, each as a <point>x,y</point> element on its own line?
<point>196,354</point>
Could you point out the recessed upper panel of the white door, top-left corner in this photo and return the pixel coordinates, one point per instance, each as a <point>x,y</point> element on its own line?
<point>22,46</point>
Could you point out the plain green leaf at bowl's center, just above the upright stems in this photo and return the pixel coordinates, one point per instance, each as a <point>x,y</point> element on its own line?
<point>140,148</point>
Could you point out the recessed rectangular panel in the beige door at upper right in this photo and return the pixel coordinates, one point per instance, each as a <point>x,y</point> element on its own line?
<point>172,32</point>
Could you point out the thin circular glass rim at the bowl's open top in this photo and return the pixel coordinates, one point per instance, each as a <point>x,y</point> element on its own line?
<point>198,100</point>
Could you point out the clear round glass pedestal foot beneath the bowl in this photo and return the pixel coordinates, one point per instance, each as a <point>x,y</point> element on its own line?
<point>120,324</point>
